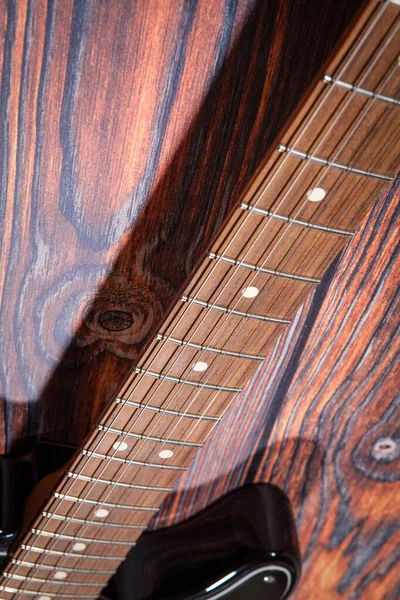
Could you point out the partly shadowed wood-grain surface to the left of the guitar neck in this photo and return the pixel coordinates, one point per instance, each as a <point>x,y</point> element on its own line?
<point>128,130</point>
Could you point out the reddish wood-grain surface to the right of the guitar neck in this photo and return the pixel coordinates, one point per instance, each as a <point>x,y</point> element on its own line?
<point>320,419</point>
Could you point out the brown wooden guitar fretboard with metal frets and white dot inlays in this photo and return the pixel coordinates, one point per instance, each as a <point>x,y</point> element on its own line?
<point>339,152</point>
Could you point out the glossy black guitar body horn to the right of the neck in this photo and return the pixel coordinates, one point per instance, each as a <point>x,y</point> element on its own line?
<point>242,547</point>
